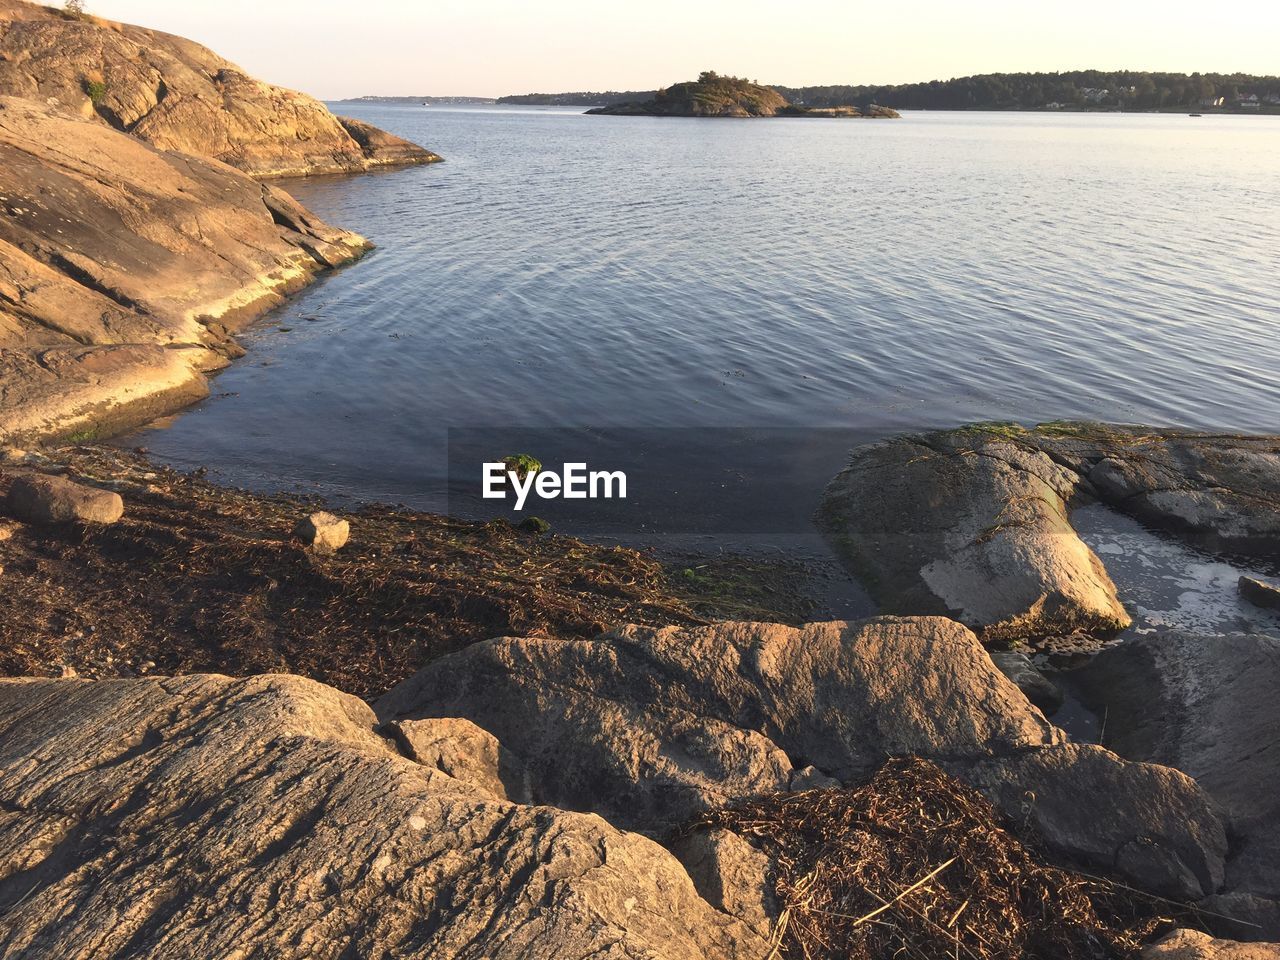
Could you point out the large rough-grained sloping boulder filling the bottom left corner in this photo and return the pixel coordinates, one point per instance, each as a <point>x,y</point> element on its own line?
<point>205,817</point>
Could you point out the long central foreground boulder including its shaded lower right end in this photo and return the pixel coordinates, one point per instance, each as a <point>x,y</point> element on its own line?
<point>651,726</point>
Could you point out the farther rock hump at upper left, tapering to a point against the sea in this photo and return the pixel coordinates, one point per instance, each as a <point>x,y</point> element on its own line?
<point>177,95</point>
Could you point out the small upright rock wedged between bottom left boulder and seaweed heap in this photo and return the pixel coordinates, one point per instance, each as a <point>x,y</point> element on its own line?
<point>732,876</point>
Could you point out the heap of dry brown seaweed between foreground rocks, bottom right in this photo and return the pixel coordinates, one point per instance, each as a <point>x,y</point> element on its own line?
<point>916,865</point>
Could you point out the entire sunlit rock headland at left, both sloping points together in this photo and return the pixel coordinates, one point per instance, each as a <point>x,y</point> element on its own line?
<point>136,237</point>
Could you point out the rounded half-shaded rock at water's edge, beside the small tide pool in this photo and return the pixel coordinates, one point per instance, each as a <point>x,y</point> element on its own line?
<point>970,525</point>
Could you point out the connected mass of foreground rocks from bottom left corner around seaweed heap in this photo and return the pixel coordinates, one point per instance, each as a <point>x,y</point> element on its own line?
<point>175,817</point>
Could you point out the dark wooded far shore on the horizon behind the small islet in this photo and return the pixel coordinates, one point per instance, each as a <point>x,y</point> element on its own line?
<point>1075,90</point>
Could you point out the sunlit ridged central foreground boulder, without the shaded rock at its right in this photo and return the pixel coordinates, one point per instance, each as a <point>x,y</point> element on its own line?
<point>651,726</point>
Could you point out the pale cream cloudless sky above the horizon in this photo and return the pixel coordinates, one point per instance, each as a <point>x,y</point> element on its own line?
<point>487,48</point>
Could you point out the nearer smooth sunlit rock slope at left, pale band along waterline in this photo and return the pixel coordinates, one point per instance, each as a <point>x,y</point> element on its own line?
<point>124,269</point>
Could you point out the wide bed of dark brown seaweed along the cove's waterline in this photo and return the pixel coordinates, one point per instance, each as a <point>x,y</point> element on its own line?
<point>199,578</point>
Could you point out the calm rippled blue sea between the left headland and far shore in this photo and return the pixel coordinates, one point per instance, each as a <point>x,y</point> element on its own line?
<point>586,272</point>
